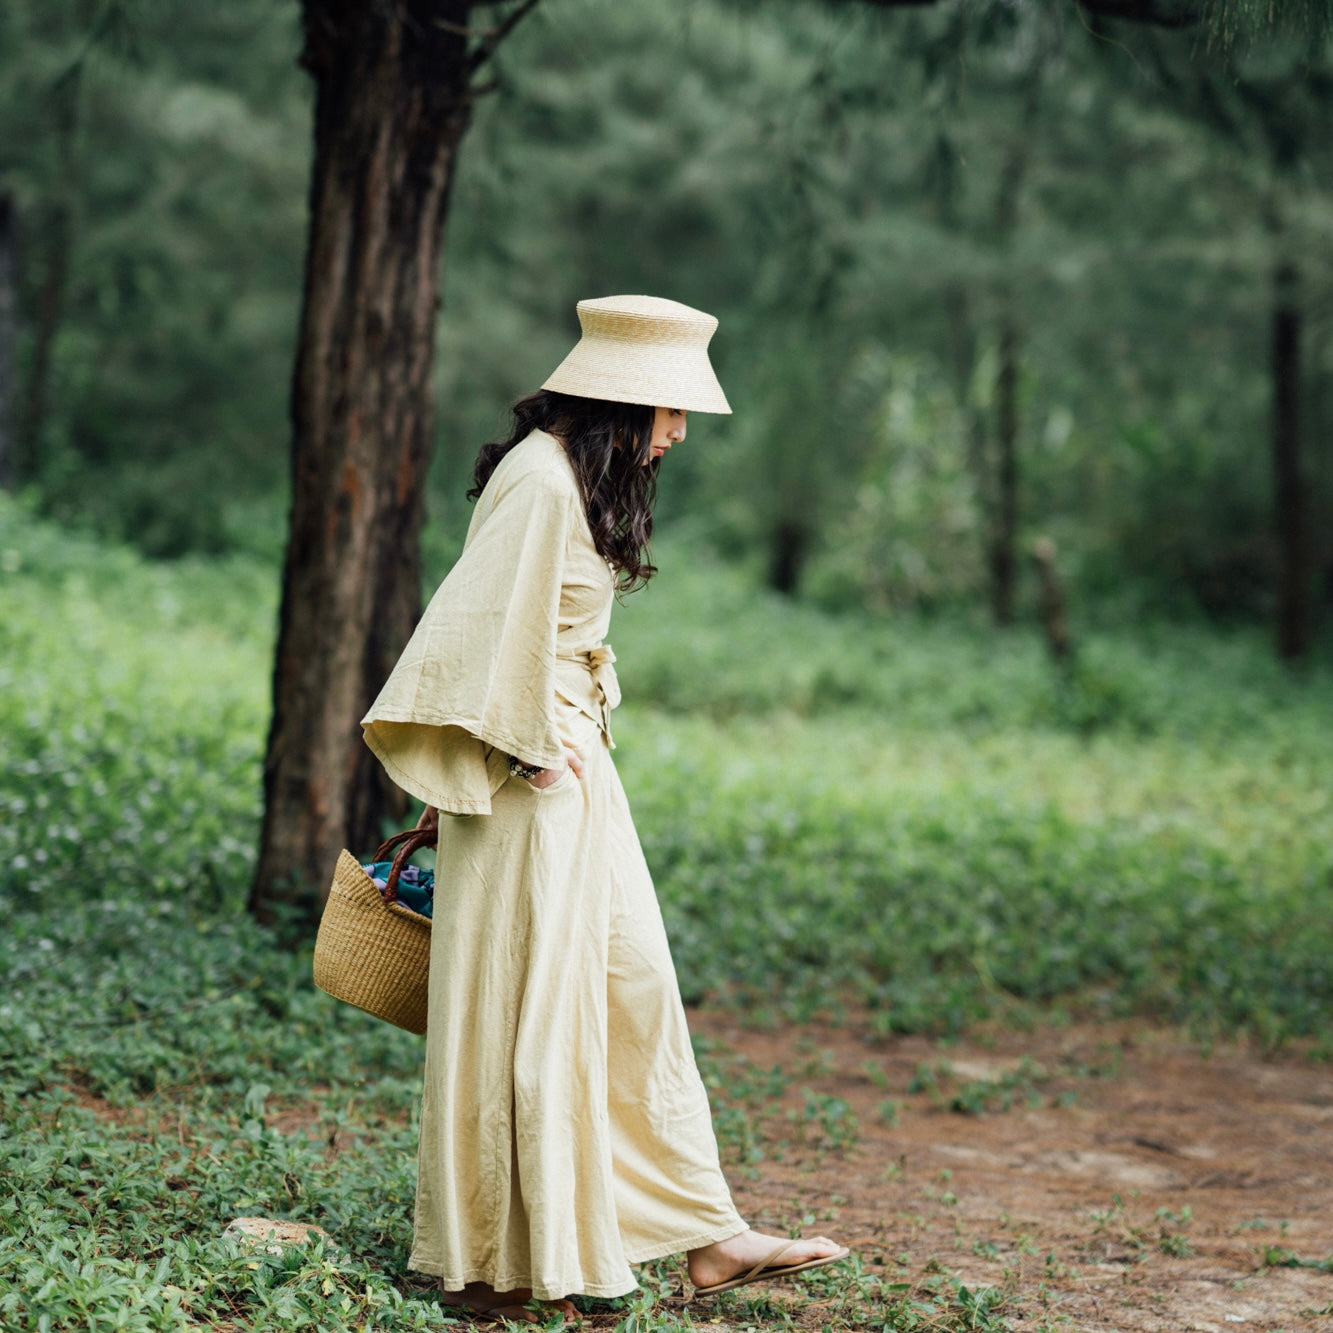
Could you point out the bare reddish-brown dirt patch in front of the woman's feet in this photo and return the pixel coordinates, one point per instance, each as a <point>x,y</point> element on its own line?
<point>1108,1178</point>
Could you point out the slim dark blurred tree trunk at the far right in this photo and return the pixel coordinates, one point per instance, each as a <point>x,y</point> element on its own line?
<point>1295,613</point>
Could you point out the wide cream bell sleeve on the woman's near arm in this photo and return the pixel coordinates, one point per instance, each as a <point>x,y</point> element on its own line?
<point>477,682</point>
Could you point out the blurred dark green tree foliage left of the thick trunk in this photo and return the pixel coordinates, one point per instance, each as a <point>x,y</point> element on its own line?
<point>158,157</point>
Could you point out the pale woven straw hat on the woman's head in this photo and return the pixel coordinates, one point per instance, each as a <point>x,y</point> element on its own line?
<point>643,350</point>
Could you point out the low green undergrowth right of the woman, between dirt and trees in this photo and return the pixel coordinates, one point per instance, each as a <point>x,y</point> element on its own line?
<point>935,823</point>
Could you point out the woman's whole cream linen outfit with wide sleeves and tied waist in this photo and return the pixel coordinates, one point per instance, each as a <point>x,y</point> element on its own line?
<point>566,1132</point>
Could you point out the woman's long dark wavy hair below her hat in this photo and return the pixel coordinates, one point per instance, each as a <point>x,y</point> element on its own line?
<point>610,446</point>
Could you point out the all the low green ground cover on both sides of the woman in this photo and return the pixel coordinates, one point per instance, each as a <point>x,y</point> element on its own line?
<point>914,826</point>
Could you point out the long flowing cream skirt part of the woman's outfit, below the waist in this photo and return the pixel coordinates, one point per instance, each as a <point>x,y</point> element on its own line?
<point>566,1132</point>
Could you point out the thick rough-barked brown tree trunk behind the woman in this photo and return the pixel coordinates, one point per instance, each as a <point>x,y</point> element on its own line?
<point>393,105</point>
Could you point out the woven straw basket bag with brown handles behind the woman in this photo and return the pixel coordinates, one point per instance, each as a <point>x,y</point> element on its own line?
<point>373,951</point>
